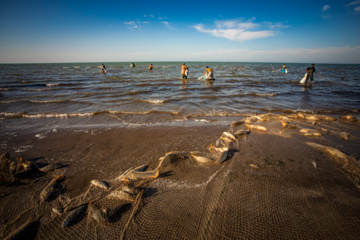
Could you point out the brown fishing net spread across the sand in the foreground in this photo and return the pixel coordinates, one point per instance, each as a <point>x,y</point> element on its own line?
<point>256,193</point>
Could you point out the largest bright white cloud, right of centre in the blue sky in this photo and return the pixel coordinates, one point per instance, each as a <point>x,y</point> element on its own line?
<point>241,31</point>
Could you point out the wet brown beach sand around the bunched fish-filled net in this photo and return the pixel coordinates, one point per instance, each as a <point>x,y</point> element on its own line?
<point>273,185</point>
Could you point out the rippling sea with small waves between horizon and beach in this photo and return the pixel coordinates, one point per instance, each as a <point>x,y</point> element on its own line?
<point>62,95</point>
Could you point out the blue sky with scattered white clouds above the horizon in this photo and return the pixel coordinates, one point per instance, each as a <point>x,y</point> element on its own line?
<point>292,31</point>
